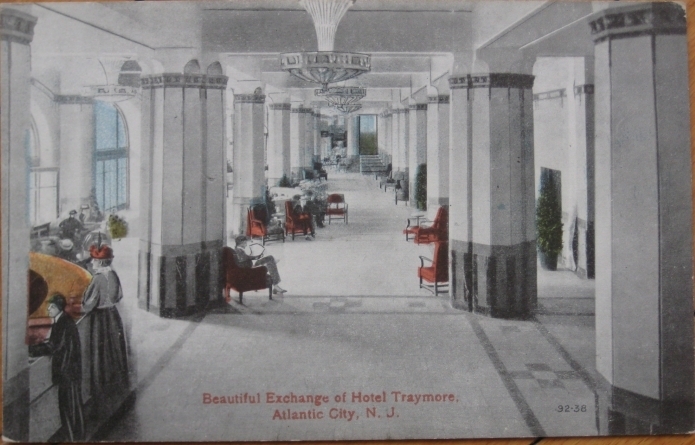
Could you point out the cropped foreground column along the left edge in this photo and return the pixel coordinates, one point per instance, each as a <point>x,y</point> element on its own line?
<point>16,34</point>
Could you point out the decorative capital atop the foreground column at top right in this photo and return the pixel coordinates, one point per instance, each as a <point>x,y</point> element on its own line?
<point>638,19</point>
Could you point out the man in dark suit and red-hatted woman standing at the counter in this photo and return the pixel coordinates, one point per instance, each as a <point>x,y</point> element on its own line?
<point>109,374</point>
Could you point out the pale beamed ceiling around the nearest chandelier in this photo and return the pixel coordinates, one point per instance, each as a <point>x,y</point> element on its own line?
<point>412,42</point>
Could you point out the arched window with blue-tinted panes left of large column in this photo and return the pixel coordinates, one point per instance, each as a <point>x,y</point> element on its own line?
<point>110,158</point>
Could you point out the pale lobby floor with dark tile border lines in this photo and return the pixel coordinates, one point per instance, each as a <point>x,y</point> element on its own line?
<point>355,321</point>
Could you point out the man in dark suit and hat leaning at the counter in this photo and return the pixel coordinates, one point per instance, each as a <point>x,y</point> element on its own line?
<point>63,345</point>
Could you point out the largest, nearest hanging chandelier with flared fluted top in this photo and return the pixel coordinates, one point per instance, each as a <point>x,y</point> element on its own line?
<point>325,65</point>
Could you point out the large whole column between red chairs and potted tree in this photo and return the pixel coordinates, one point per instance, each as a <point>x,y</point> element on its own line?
<point>491,227</point>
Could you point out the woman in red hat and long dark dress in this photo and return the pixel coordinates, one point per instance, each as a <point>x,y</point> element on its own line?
<point>109,363</point>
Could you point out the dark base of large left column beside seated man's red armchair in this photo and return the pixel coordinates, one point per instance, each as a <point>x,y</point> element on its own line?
<point>177,281</point>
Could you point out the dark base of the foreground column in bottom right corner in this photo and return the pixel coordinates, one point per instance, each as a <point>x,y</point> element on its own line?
<point>623,412</point>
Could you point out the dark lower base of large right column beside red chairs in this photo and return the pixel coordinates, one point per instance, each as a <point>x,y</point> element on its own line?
<point>502,279</point>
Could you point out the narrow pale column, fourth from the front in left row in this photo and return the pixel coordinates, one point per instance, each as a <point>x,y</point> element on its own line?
<point>278,142</point>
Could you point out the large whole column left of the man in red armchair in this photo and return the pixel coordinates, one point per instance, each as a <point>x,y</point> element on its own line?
<point>182,203</point>
